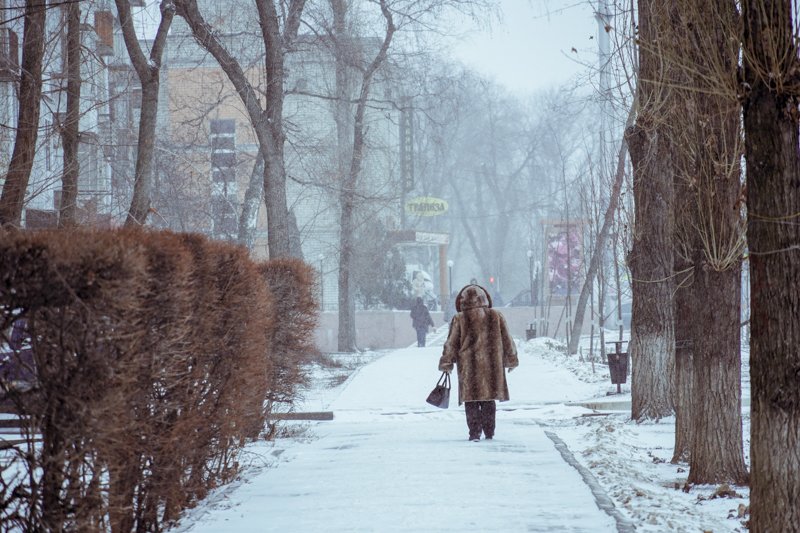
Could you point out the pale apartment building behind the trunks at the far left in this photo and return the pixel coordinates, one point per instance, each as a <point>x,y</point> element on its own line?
<point>100,54</point>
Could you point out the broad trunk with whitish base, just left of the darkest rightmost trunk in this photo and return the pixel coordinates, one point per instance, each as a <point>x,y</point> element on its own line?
<point>716,453</point>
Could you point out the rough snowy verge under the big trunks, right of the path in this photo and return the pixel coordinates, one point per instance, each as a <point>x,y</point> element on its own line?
<point>631,461</point>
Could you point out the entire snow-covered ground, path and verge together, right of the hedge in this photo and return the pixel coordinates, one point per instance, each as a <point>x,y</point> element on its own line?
<point>390,462</point>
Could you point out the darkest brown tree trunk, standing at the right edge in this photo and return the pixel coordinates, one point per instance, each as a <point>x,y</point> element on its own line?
<point>773,201</point>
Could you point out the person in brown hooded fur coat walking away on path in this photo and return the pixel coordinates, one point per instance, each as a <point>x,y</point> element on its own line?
<point>480,345</point>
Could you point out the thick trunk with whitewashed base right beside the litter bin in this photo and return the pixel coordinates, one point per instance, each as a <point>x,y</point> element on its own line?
<point>652,345</point>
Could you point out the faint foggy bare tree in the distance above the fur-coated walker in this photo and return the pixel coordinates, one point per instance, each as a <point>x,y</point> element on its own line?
<point>484,155</point>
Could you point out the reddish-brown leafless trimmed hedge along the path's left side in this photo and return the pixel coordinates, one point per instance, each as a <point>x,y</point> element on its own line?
<point>157,356</point>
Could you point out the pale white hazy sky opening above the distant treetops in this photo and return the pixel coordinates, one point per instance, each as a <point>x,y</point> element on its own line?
<point>530,48</point>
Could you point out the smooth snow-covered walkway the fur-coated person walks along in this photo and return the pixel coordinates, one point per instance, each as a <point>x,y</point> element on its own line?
<point>389,462</point>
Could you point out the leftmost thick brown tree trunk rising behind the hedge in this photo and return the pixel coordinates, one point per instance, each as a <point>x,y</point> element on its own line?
<point>30,92</point>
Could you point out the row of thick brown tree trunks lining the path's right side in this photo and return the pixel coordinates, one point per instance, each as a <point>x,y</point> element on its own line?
<point>689,239</point>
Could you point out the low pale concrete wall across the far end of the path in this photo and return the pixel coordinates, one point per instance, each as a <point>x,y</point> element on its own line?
<point>377,330</point>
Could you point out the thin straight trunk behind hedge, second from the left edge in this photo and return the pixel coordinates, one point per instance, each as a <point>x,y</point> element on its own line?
<point>70,129</point>
